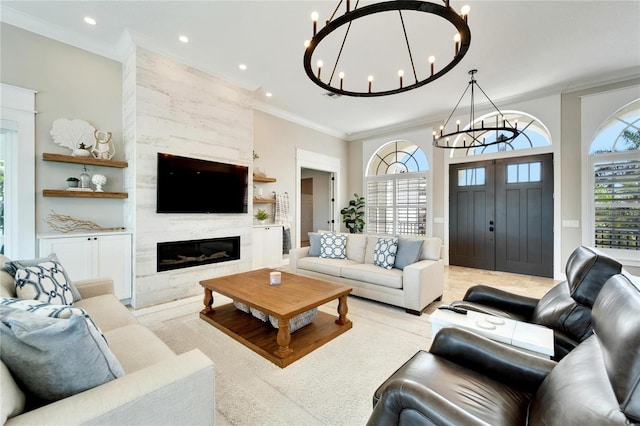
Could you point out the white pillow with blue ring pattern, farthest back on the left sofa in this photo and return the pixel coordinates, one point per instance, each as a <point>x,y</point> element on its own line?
<point>46,282</point>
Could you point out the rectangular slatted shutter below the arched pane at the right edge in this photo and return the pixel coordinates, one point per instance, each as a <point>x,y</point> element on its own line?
<point>617,202</point>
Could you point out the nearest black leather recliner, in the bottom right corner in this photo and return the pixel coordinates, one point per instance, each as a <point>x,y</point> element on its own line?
<point>466,379</point>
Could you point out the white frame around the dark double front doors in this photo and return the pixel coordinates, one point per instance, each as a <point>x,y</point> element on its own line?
<point>558,268</point>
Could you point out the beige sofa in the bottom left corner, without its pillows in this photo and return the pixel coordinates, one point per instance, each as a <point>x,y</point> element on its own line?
<point>159,387</point>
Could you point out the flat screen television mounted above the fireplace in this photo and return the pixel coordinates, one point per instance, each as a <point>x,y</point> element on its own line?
<point>191,185</point>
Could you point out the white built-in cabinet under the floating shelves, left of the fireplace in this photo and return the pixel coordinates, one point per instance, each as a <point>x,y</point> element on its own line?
<point>93,255</point>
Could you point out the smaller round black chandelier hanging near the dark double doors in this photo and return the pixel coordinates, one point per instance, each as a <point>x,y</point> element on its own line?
<point>503,134</point>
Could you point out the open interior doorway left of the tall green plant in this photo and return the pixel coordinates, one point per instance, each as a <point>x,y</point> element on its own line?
<point>316,202</point>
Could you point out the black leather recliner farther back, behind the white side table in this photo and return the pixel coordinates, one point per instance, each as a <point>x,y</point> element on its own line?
<point>566,308</point>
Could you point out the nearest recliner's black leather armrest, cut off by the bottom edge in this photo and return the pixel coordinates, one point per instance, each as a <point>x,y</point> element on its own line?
<point>408,402</point>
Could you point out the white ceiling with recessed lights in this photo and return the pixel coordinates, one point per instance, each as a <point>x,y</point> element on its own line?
<point>521,48</point>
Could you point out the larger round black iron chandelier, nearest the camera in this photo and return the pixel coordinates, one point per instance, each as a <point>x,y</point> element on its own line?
<point>361,87</point>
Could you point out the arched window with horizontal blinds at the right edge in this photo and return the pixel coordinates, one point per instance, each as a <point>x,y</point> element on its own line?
<point>615,160</point>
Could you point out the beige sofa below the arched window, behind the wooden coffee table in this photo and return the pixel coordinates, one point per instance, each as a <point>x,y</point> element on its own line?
<point>412,288</point>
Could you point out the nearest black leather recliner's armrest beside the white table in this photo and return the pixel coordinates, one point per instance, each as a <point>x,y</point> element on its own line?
<point>499,361</point>
